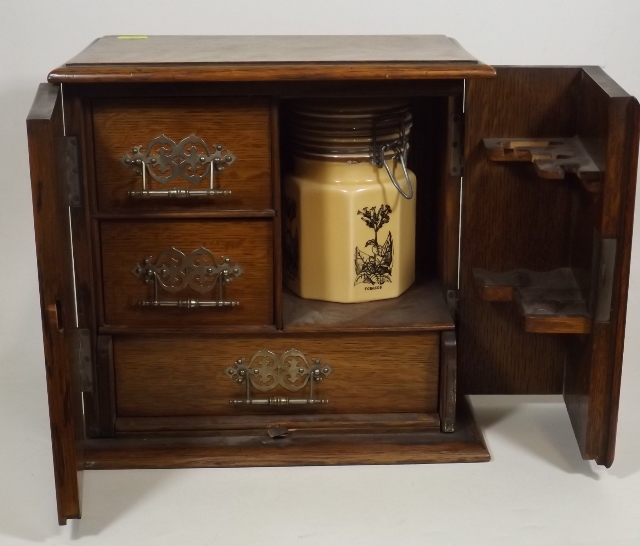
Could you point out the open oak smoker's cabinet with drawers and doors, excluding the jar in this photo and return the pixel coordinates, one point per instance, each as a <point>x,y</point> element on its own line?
<point>156,166</point>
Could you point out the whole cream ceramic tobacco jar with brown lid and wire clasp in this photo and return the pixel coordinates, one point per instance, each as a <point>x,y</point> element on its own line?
<point>349,202</point>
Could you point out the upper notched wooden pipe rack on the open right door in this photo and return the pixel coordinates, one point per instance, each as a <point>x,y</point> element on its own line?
<point>552,158</point>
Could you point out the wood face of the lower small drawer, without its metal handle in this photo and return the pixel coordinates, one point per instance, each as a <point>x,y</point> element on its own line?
<point>246,242</point>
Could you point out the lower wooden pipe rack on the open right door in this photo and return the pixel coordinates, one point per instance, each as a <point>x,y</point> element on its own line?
<point>549,302</point>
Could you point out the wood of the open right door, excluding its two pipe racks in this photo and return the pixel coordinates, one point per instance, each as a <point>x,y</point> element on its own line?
<point>559,226</point>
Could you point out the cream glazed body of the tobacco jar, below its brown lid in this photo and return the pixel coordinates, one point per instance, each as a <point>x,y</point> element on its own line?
<point>349,235</point>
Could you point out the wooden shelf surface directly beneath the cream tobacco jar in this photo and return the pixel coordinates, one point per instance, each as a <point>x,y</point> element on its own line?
<point>422,307</point>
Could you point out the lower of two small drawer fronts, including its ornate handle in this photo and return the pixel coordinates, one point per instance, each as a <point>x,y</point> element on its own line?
<point>162,273</point>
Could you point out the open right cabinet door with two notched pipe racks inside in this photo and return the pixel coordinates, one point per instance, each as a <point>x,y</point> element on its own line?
<point>547,216</point>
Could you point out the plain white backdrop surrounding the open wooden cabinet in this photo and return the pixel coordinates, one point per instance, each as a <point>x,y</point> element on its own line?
<point>537,490</point>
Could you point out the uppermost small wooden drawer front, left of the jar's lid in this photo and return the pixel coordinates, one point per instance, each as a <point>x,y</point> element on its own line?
<point>240,126</point>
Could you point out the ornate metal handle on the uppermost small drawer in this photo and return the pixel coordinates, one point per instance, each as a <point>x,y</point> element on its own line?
<point>193,163</point>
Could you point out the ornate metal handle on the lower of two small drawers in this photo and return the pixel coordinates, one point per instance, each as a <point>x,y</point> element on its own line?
<point>200,270</point>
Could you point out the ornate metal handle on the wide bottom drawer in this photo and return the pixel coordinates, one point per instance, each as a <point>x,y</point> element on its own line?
<point>266,370</point>
